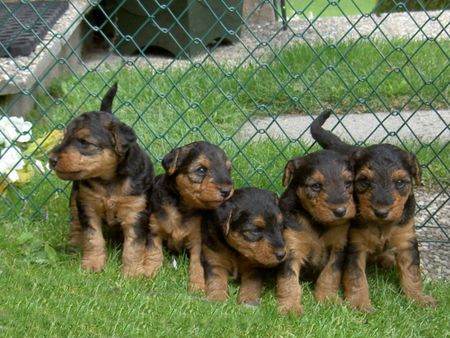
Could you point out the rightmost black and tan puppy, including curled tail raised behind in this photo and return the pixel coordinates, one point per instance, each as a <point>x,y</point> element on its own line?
<point>384,176</point>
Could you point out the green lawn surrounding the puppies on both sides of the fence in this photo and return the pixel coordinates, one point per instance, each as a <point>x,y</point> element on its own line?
<point>45,293</point>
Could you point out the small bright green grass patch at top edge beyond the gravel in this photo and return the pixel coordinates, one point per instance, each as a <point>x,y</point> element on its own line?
<point>315,8</point>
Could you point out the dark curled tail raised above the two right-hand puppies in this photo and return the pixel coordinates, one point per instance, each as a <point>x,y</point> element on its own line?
<point>325,138</point>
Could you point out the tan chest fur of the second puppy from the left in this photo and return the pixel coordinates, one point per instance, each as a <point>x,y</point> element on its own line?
<point>173,228</point>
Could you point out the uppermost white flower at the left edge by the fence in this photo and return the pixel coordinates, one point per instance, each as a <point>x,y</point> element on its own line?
<point>14,129</point>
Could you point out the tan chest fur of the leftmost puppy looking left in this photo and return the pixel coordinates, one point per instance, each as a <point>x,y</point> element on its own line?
<point>113,204</point>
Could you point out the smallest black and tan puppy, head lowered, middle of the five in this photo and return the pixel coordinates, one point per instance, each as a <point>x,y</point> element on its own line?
<point>243,237</point>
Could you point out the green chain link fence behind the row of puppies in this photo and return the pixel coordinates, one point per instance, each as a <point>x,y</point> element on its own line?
<point>247,75</point>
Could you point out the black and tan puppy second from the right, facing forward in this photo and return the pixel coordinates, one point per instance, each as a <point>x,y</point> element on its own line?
<point>317,207</point>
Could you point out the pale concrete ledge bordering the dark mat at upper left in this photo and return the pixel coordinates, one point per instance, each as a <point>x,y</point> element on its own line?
<point>60,49</point>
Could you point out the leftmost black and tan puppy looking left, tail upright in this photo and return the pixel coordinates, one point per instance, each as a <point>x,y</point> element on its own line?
<point>112,178</point>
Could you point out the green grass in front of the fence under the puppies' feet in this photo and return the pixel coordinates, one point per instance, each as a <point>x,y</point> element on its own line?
<point>45,293</point>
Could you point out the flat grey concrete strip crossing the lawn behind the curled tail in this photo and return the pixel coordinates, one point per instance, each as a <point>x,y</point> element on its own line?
<point>370,128</point>
